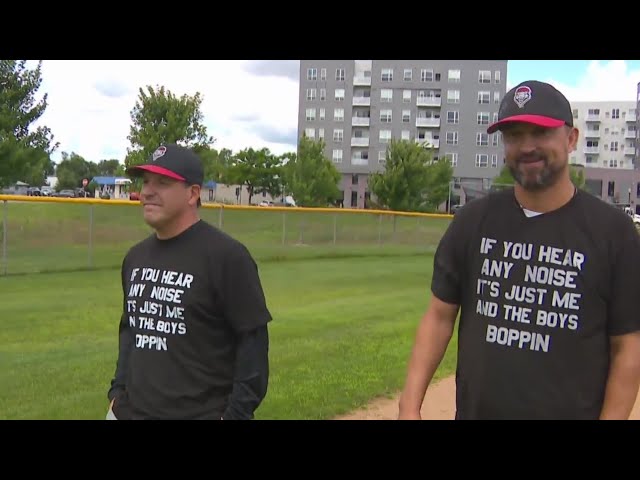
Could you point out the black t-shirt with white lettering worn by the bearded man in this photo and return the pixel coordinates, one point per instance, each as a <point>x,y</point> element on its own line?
<point>539,298</point>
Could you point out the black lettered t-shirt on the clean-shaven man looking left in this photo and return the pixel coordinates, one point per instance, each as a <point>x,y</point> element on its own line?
<point>186,300</point>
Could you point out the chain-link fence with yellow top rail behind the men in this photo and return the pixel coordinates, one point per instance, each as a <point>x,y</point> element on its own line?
<point>60,234</point>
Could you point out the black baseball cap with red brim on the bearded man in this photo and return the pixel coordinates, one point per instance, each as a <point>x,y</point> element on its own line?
<point>534,102</point>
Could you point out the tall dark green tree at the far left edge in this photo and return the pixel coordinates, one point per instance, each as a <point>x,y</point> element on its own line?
<point>25,151</point>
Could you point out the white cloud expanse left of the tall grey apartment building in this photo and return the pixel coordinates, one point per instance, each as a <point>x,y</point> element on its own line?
<point>90,102</point>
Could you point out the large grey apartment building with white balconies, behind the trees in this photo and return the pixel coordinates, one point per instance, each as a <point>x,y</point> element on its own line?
<point>358,106</point>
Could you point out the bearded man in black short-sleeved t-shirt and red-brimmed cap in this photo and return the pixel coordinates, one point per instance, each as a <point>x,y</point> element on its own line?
<point>546,280</point>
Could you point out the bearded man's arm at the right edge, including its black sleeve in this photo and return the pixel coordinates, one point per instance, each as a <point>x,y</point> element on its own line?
<point>624,325</point>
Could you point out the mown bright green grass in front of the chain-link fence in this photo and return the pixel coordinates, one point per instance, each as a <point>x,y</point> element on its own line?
<point>342,332</point>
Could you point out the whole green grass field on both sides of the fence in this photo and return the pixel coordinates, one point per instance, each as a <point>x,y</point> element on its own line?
<point>344,314</point>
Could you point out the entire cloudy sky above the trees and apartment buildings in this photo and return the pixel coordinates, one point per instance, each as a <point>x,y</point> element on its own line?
<point>247,103</point>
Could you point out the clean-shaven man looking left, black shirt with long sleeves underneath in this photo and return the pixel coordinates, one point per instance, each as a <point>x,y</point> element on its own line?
<point>193,339</point>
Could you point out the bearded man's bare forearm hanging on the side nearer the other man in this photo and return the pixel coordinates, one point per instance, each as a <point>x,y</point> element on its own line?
<point>432,338</point>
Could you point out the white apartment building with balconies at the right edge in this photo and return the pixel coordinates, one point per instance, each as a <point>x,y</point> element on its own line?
<point>608,134</point>
